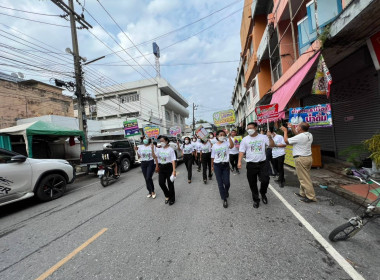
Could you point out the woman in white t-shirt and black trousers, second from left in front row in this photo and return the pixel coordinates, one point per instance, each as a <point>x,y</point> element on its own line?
<point>165,166</point>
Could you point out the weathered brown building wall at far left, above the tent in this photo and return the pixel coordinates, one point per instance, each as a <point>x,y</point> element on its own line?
<point>30,98</point>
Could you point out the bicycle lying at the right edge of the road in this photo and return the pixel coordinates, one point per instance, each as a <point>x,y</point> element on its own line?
<point>355,224</point>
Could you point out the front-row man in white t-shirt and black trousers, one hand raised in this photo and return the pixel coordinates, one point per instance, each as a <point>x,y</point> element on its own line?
<point>254,147</point>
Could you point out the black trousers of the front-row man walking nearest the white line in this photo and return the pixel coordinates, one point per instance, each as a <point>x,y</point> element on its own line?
<point>260,170</point>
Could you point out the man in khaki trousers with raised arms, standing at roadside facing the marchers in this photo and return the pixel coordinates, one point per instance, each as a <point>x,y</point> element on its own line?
<point>302,158</point>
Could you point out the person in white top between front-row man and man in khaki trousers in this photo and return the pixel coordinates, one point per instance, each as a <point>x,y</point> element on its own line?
<point>278,156</point>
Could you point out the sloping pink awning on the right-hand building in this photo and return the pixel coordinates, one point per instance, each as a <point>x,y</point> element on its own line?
<point>283,95</point>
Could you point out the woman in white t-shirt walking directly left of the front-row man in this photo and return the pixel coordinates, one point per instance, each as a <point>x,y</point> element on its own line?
<point>220,164</point>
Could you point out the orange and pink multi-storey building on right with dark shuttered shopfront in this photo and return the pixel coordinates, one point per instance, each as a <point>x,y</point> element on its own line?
<point>281,42</point>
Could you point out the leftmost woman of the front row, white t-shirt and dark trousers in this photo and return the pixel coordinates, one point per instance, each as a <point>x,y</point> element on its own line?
<point>145,153</point>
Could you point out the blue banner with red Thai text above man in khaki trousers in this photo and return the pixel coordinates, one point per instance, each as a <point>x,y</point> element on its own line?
<point>315,116</point>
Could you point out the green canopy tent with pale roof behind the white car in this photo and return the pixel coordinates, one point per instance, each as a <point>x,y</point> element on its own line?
<point>29,130</point>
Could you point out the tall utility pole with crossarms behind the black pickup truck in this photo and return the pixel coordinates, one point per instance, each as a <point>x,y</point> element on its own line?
<point>79,88</point>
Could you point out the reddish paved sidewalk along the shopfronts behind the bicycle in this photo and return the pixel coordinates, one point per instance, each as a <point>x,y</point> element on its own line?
<point>332,178</point>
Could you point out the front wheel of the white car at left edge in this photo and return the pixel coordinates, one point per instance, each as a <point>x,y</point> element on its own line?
<point>51,187</point>
